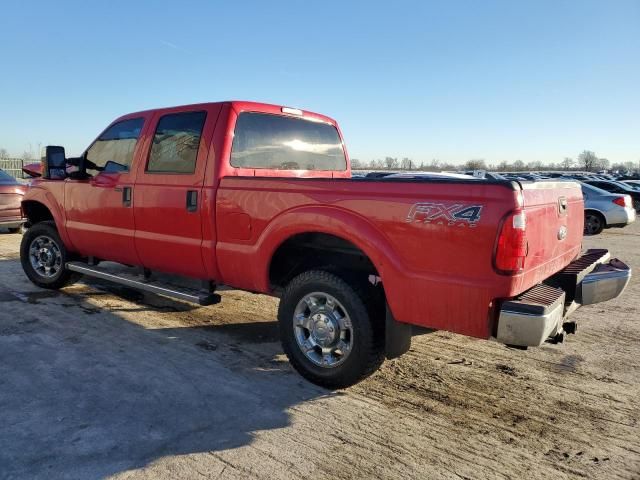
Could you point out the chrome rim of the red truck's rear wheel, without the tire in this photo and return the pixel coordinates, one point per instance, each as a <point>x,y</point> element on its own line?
<point>323,329</point>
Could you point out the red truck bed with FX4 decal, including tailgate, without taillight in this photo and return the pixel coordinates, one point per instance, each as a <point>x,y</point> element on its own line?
<point>431,240</point>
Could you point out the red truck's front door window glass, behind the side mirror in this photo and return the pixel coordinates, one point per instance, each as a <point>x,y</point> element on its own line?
<point>113,151</point>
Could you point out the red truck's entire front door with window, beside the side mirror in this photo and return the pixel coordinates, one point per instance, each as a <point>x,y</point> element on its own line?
<point>99,211</point>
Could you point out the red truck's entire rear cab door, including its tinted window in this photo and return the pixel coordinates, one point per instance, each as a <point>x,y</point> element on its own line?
<point>168,191</point>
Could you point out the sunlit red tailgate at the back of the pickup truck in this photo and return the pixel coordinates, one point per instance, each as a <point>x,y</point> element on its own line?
<point>555,217</point>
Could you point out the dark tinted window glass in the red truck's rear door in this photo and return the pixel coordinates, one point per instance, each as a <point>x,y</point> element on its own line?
<point>176,142</point>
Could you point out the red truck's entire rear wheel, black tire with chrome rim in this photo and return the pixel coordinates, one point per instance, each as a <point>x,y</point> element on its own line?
<point>327,332</point>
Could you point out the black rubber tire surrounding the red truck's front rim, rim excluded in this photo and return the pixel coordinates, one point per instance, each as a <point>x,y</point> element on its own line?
<point>62,277</point>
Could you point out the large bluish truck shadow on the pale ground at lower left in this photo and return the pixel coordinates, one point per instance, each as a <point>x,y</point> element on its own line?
<point>88,396</point>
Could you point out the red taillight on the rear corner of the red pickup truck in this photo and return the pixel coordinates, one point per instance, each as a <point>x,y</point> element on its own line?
<point>511,249</point>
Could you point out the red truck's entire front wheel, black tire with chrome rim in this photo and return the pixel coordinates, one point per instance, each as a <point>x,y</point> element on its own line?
<point>43,257</point>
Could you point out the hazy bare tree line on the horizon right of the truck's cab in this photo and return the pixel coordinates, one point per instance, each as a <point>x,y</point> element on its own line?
<point>585,161</point>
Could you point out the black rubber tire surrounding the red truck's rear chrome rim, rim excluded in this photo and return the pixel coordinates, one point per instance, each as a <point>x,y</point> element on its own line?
<point>366,352</point>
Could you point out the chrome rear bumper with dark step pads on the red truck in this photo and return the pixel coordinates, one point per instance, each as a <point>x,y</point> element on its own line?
<point>540,313</point>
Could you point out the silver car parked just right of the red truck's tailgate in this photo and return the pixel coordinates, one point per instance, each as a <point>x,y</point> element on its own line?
<point>605,210</point>
